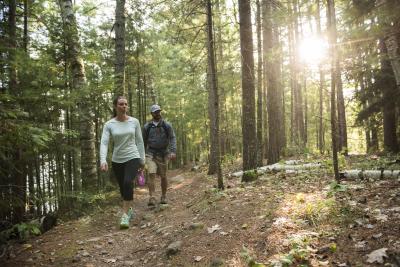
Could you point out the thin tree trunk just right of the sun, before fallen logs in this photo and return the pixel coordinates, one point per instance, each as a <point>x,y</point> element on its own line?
<point>332,41</point>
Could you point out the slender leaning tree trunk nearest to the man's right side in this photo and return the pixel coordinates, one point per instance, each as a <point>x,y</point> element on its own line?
<point>215,159</point>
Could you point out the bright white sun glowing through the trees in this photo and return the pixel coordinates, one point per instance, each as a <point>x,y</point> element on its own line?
<point>313,50</point>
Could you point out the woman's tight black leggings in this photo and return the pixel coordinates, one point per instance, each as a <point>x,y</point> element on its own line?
<point>126,173</point>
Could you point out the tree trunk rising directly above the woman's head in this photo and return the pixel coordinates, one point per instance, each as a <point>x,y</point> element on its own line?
<point>119,48</point>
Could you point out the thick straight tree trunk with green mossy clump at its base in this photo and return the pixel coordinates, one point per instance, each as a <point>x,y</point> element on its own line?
<point>248,91</point>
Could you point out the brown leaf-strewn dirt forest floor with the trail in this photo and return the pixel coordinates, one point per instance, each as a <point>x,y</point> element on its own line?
<point>281,219</point>
